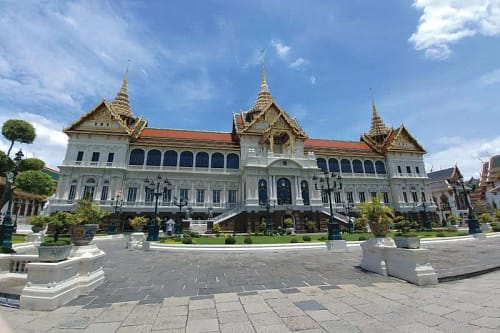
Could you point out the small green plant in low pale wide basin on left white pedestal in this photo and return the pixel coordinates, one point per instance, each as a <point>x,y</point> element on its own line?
<point>56,250</point>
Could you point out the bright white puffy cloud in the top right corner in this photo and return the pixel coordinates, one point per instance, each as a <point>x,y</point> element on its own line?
<point>445,22</point>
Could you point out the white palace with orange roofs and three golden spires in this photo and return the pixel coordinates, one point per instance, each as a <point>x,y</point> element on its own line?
<point>263,168</point>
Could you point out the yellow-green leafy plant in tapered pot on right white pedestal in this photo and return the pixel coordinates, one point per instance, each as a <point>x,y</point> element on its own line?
<point>378,216</point>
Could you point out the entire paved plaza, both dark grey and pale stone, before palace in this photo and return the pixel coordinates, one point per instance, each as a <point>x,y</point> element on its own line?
<point>277,291</point>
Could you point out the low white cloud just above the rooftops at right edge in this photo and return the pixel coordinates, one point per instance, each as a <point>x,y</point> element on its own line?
<point>467,154</point>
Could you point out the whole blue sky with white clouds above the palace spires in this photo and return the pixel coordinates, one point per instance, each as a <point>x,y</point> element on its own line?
<point>432,65</point>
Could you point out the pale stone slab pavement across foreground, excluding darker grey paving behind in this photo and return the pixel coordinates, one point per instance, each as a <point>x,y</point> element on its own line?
<point>471,305</point>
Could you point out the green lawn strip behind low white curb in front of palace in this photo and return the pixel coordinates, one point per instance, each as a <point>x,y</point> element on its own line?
<point>314,238</point>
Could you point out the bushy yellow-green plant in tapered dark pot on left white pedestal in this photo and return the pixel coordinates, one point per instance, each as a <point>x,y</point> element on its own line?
<point>88,216</point>
